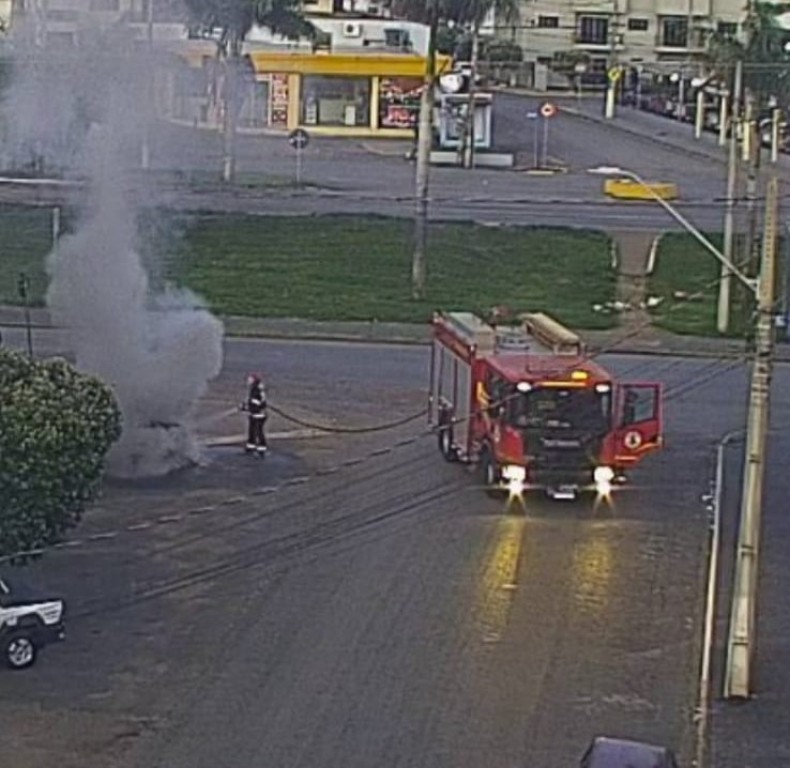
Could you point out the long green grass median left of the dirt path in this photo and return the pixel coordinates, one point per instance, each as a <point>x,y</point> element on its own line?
<point>358,268</point>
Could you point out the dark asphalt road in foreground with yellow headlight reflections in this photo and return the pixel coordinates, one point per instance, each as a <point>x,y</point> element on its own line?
<point>385,614</point>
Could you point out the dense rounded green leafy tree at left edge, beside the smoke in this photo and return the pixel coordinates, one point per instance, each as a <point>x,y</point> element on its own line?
<point>56,426</point>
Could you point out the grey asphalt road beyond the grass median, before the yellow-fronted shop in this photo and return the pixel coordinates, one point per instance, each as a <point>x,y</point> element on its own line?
<point>351,179</point>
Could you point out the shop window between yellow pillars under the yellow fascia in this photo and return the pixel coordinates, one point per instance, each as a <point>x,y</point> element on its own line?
<point>343,101</point>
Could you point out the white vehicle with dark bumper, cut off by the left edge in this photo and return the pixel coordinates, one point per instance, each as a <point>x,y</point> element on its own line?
<point>28,622</point>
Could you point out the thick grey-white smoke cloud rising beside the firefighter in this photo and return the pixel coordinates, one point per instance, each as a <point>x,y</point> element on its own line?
<point>157,350</point>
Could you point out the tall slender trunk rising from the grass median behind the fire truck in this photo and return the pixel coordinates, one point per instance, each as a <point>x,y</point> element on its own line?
<point>424,142</point>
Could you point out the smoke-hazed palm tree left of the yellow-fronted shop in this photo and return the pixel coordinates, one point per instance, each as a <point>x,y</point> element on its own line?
<point>233,19</point>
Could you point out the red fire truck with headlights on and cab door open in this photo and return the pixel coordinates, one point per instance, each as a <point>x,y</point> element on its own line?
<point>533,411</point>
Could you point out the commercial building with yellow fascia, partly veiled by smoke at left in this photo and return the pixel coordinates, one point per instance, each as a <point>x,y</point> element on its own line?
<point>361,77</point>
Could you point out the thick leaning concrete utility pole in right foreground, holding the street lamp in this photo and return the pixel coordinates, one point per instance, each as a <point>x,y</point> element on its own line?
<point>742,629</point>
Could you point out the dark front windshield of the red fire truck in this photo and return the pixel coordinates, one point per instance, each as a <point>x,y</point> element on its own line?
<point>582,409</point>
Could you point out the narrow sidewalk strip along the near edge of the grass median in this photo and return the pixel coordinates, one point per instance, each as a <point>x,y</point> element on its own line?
<point>650,341</point>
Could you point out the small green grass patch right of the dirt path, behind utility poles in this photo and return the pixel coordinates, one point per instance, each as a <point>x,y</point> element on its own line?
<point>685,267</point>
